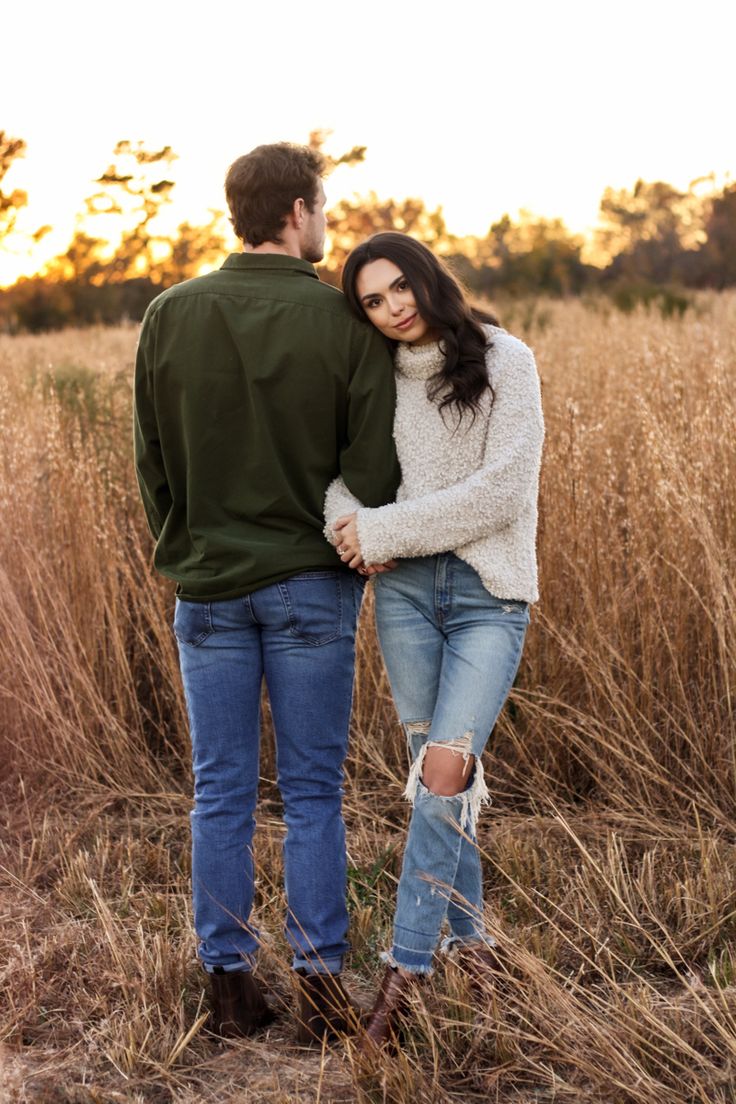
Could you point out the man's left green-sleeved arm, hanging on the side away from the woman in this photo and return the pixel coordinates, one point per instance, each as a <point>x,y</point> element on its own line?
<point>150,461</point>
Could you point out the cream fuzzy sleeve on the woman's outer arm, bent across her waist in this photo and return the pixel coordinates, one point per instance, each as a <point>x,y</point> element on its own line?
<point>492,498</point>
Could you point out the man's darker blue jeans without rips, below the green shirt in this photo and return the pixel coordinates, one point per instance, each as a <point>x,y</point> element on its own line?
<point>300,635</point>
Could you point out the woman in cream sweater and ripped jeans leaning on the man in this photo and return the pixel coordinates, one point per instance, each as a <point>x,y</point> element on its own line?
<point>453,614</point>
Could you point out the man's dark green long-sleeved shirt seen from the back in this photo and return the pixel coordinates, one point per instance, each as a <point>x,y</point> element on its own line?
<point>255,388</point>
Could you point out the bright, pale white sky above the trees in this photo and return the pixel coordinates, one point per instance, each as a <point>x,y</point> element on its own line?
<point>485,109</point>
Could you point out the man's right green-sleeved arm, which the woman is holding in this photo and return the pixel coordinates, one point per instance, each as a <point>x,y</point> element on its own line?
<point>368,460</point>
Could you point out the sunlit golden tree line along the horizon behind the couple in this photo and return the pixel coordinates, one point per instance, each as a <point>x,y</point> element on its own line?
<point>654,245</point>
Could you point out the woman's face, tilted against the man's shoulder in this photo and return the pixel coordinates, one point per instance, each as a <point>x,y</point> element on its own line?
<point>389,303</point>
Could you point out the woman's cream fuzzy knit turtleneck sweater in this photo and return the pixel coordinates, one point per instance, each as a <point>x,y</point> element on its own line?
<point>471,490</point>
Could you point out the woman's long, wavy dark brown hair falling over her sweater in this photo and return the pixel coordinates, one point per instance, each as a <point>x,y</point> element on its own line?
<point>442,304</point>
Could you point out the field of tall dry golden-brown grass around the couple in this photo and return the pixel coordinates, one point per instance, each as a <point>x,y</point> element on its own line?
<point>611,850</point>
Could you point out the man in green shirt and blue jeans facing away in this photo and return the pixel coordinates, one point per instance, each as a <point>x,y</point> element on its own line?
<point>254,389</point>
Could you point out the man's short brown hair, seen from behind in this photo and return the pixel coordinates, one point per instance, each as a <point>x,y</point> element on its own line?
<point>263,186</point>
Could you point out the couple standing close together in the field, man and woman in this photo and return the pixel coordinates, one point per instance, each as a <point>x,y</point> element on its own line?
<point>272,412</point>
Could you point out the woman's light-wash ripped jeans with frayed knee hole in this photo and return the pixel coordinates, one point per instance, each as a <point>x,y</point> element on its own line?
<point>452,652</point>
